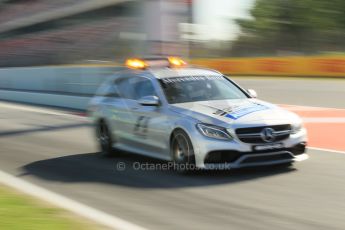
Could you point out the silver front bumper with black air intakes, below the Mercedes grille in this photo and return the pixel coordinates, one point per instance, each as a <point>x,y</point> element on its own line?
<point>211,154</point>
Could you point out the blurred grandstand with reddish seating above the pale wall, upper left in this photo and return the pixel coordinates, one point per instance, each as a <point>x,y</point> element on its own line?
<point>50,32</point>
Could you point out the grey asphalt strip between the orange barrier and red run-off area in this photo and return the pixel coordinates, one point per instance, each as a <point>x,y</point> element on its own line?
<point>294,91</point>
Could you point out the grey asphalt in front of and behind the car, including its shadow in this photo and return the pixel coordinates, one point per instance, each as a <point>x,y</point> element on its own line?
<point>58,152</point>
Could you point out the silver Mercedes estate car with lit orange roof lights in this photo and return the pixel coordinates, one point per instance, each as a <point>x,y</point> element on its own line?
<point>162,108</point>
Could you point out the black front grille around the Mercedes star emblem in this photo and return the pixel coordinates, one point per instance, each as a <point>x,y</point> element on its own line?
<point>253,134</point>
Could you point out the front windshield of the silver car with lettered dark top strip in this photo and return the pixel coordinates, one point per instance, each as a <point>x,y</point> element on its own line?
<point>199,88</point>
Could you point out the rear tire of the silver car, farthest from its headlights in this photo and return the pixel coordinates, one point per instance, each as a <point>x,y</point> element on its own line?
<point>105,140</point>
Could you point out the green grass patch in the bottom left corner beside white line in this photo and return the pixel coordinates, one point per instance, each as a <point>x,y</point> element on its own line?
<point>18,212</point>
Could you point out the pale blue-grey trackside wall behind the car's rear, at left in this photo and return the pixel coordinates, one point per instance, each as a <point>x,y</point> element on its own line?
<point>64,86</point>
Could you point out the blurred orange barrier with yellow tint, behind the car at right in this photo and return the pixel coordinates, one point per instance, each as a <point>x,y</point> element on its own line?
<point>310,66</point>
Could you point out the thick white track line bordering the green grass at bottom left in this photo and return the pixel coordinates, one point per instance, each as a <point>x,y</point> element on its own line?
<point>67,204</point>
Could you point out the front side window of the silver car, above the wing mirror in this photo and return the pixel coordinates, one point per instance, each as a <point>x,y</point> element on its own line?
<point>143,87</point>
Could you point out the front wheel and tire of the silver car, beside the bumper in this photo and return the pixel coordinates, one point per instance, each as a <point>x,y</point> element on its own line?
<point>182,152</point>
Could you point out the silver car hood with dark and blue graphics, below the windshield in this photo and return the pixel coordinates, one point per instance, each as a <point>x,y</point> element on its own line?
<point>236,113</point>
